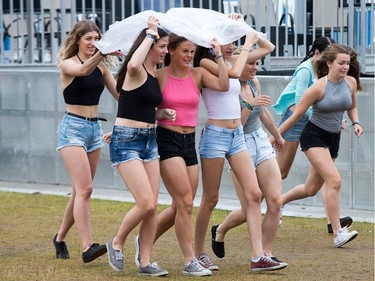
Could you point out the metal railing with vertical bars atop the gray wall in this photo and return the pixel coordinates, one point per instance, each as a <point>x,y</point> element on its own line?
<point>32,30</point>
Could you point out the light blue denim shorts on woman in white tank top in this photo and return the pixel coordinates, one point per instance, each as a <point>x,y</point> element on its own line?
<point>217,142</point>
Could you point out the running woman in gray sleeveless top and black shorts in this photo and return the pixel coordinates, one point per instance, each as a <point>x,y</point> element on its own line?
<point>332,95</point>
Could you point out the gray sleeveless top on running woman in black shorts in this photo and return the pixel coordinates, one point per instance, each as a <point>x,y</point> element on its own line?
<point>328,112</point>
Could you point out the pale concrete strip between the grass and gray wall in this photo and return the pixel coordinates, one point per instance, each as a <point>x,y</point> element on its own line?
<point>164,198</point>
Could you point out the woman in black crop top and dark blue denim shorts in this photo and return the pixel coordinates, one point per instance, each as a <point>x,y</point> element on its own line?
<point>133,148</point>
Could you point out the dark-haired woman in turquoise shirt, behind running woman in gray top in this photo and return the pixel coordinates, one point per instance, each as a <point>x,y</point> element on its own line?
<point>304,76</point>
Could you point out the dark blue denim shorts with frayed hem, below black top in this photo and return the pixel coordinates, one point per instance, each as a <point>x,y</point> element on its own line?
<point>129,144</point>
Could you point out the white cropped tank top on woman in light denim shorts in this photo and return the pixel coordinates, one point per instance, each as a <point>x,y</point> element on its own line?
<point>223,105</point>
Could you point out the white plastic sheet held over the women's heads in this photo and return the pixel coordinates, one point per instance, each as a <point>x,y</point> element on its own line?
<point>197,25</point>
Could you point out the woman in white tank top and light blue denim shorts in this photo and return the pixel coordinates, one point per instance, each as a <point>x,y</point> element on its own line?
<point>222,138</point>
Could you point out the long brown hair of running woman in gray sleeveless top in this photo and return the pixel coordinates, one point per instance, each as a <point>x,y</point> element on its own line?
<point>330,54</point>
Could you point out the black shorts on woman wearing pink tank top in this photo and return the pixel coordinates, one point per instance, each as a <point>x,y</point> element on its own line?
<point>173,144</point>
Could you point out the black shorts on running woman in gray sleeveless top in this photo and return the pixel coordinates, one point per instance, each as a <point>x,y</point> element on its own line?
<point>313,136</point>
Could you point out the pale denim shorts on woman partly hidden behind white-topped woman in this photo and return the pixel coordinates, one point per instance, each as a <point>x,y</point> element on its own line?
<point>259,146</point>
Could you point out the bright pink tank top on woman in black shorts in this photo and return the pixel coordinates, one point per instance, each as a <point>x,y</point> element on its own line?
<point>183,96</point>
